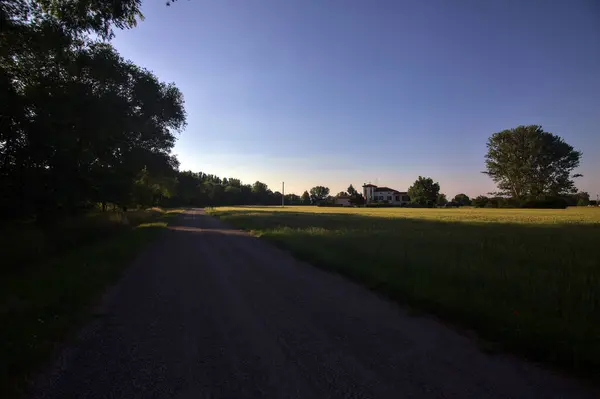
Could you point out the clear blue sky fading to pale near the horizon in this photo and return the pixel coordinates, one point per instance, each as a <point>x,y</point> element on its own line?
<point>326,92</point>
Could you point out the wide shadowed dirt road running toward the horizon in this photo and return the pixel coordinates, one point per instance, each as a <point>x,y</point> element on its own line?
<point>210,312</point>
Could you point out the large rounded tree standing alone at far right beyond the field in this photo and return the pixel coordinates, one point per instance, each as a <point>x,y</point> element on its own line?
<point>528,163</point>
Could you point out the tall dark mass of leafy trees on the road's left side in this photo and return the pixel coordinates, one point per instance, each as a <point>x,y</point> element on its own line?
<point>79,125</point>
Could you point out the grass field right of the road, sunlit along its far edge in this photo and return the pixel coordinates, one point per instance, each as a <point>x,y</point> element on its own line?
<point>528,280</point>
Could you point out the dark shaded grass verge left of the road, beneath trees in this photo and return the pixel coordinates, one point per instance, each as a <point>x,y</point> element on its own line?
<point>49,280</point>
